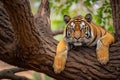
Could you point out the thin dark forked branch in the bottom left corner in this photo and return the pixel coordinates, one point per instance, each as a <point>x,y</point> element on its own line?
<point>10,74</point>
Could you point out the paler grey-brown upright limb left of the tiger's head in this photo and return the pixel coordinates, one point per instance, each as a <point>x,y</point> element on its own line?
<point>42,18</point>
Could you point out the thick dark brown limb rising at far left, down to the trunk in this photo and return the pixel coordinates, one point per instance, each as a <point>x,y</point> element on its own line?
<point>27,35</point>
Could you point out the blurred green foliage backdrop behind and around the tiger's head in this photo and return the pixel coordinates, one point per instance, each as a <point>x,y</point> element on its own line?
<point>101,15</point>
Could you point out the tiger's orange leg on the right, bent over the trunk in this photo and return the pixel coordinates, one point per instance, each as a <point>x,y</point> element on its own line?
<point>103,48</point>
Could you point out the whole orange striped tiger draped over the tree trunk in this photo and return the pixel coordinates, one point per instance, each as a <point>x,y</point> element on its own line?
<point>81,31</point>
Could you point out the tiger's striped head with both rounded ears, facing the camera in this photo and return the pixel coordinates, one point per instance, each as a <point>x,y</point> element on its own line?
<point>78,31</point>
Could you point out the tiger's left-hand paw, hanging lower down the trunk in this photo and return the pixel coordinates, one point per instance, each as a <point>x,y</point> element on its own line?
<point>59,63</point>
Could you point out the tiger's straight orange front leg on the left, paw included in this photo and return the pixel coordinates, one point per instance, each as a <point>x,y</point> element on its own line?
<point>61,56</point>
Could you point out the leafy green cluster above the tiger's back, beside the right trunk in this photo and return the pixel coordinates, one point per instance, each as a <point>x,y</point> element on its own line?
<point>104,16</point>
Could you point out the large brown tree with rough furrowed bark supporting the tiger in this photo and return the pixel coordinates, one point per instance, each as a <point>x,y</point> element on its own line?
<point>26,41</point>
